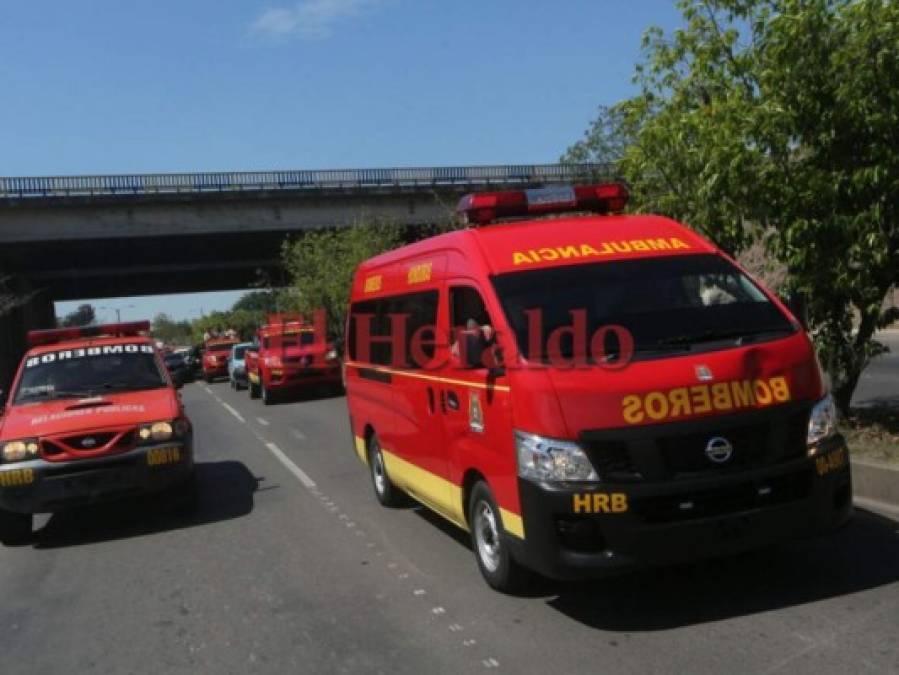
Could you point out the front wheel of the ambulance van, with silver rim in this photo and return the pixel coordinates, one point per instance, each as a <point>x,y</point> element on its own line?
<point>497,566</point>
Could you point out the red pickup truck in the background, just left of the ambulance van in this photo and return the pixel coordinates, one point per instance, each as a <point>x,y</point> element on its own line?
<point>290,355</point>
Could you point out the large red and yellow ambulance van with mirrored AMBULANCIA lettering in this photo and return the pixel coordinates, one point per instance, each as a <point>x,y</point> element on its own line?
<point>588,394</point>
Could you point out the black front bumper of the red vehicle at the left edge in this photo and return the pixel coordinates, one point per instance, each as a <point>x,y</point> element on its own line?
<point>39,486</point>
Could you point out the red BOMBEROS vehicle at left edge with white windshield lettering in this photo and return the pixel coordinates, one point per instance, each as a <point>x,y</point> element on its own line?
<point>92,415</point>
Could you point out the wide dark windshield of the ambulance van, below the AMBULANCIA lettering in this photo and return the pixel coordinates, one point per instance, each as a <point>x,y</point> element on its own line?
<point>670,305</point>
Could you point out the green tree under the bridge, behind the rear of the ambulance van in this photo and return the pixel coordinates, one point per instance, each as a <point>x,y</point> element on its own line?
<point>321,266</point>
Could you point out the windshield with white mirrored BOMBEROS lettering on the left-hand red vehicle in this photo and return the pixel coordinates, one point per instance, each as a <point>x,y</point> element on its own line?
<point>69,375</point>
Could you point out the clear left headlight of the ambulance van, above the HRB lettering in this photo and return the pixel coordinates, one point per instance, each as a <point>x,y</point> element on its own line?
<point>549,459</point>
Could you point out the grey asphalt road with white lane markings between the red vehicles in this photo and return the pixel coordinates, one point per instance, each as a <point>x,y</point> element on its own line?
<point>290,565</point>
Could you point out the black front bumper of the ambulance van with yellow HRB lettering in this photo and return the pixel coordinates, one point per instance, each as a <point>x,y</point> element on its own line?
<point>600,529</point>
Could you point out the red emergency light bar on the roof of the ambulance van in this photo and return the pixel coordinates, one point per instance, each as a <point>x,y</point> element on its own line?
<point>484,207</point>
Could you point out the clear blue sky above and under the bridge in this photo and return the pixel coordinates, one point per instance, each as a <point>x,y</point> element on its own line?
<point>110,86</point>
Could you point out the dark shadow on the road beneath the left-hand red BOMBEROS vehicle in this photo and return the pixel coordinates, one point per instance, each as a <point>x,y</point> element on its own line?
<point>225,491</point>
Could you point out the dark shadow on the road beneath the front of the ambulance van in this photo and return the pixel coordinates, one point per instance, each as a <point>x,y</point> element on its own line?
<point>862,555</point>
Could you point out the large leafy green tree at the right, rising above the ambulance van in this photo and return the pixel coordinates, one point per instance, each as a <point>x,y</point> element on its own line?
<point>782,114</point>
